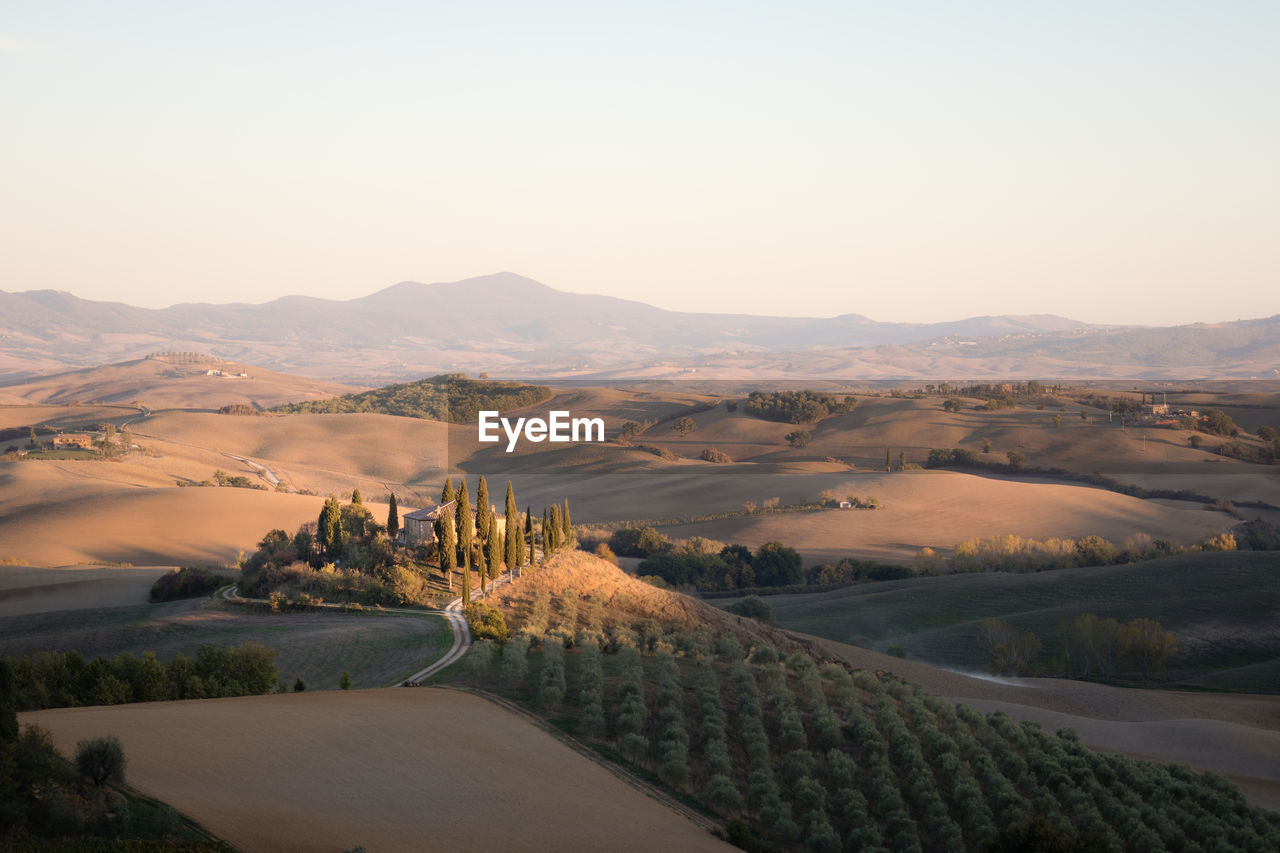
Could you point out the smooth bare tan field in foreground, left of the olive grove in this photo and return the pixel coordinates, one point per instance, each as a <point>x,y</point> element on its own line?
<point>391,769</point>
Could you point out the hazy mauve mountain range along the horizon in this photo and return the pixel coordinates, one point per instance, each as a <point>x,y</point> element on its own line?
<point>511,326</point>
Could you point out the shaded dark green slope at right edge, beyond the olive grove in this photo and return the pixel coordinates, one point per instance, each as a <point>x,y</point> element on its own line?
<point>1224,610</point>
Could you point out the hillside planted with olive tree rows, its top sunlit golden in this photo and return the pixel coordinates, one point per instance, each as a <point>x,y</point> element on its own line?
<point>804,750</point>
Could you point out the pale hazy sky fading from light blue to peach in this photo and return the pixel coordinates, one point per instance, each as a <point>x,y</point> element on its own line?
<point>1113,162</point>
